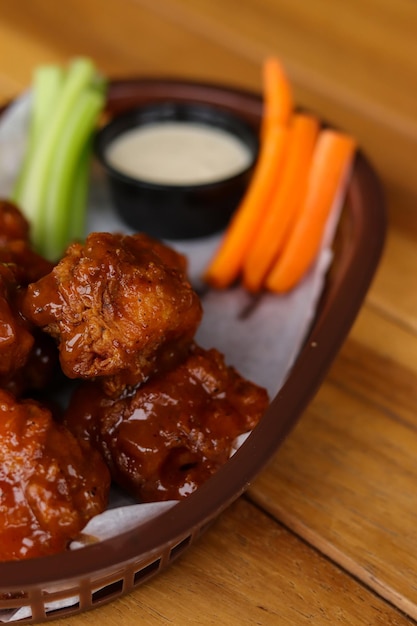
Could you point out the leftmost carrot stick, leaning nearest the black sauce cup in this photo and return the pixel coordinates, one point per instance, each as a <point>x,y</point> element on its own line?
<point>228,260</point>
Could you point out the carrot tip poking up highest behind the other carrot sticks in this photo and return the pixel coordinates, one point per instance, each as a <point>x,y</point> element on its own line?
<point>277,95</point>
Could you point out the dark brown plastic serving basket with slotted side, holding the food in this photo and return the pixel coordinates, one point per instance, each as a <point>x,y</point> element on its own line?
<point>99,573</point>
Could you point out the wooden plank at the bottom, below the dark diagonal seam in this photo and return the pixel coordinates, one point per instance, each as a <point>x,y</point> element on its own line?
<point>248,570</point>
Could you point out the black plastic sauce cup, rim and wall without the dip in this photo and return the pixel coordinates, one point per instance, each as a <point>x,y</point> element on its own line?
<point>176,211</point>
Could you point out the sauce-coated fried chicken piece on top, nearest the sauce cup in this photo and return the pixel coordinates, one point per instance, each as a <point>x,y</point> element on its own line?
<point>119,306</point>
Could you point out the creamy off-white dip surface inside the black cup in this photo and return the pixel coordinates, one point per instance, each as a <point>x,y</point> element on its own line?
<point>178,153</point>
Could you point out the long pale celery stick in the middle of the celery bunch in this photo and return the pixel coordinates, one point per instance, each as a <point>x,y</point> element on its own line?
<point>34,189</point>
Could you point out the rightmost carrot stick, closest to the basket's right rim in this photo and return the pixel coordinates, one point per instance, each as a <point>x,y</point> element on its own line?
<point>328,177</point>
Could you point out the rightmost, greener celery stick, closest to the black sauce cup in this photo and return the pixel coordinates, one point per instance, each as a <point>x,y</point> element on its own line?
<point>53,231</point>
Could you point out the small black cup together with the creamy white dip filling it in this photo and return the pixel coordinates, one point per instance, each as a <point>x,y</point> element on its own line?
<point>177,170</point>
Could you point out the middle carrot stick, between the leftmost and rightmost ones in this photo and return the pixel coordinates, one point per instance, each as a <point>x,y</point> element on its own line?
<point>285,204</point>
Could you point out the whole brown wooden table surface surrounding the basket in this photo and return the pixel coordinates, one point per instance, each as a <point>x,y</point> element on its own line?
<point>328,533</point>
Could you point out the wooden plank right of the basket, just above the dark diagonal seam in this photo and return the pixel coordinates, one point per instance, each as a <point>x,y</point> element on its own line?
<point>345,478</point>
